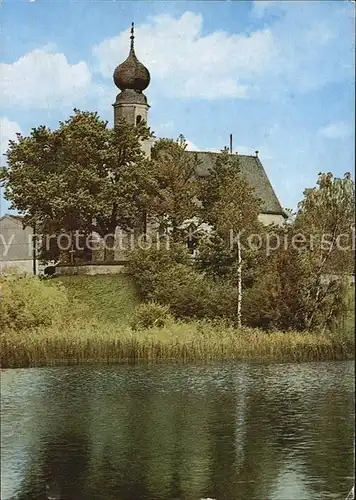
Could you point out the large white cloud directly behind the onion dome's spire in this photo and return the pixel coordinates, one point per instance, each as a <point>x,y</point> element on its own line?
<point>186,63</point>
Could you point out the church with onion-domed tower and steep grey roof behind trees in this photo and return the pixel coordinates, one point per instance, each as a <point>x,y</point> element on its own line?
<point>132,78</point>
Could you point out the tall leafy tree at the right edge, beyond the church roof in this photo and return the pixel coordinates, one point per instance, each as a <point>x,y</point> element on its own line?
<point>326,219</point>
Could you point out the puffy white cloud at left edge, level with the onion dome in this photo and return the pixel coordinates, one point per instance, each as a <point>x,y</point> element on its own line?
<point>43,78</point>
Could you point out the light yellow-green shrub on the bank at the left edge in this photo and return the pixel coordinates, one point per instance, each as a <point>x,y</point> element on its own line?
<point>28,302</point>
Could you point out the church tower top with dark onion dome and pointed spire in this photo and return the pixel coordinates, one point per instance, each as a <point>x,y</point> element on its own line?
<point>132,78</point>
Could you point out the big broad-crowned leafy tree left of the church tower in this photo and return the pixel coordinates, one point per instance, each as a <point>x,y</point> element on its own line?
<point>82,176</point>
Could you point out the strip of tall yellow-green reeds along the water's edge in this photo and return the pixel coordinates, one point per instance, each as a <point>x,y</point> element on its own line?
<point>96,343</point>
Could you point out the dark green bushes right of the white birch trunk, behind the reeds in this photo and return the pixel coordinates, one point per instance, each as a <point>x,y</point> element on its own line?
<point>288,295</point>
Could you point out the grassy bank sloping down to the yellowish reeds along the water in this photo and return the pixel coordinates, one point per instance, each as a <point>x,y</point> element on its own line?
<point>93,328</point>
